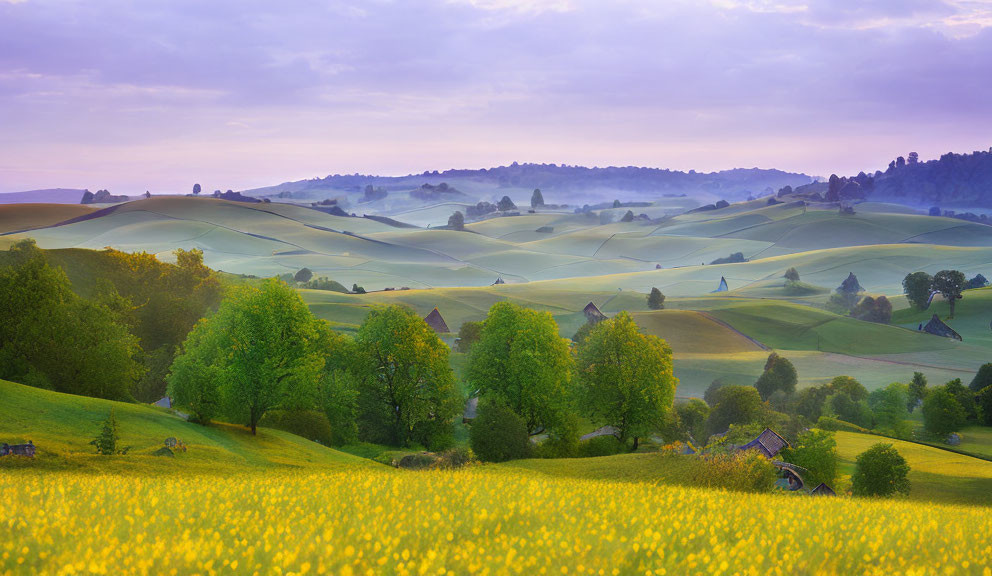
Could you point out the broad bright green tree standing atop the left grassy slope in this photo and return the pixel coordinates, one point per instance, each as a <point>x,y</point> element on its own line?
<point>261,347</point>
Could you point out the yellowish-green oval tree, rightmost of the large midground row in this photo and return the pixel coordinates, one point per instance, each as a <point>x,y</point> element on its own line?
<point>627,378</point>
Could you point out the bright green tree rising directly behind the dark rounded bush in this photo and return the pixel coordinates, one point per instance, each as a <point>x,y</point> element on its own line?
<point>521,359</point>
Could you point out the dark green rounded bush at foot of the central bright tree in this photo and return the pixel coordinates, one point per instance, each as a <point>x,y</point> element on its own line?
<point>498,434</point>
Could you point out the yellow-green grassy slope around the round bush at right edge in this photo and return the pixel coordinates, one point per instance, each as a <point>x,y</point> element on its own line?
<point>935,474</point>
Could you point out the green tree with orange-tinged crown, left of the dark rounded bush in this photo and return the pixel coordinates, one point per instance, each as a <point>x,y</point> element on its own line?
<point>406,390</point>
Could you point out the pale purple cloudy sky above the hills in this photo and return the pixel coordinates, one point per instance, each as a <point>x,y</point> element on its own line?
<point>159,94</point>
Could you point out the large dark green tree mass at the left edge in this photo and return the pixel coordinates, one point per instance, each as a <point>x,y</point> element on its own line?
<point>52,338</point>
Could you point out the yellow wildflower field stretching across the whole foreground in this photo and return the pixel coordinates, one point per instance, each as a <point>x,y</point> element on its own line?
<point>480,520</point>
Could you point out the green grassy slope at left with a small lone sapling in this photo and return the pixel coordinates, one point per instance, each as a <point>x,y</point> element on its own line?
<point>61,426</point>
